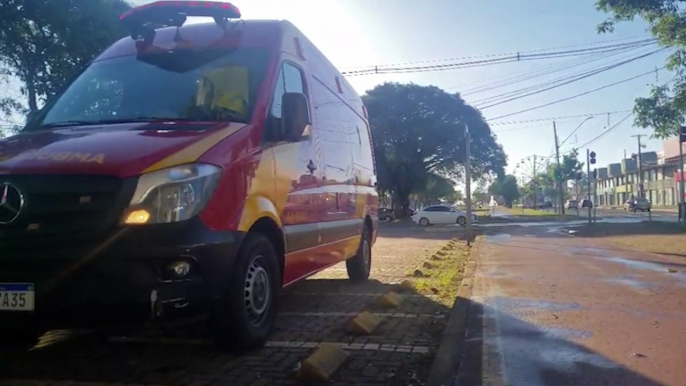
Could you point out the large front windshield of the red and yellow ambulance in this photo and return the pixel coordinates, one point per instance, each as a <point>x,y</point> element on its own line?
<point>207,85</point>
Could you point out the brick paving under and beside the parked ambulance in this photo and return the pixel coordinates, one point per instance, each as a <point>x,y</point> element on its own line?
<point>315,311</point>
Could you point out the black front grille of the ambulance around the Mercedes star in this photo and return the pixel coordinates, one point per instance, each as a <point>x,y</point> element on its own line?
<point>65,208</point>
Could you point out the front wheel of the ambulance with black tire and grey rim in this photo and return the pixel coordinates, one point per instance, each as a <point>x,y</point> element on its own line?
<point>246,313</point>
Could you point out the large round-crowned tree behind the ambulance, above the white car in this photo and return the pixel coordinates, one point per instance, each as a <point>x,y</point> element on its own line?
<point>419,131</point>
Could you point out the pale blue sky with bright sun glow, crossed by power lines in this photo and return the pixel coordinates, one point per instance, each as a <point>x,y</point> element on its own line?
<point>354,33</point>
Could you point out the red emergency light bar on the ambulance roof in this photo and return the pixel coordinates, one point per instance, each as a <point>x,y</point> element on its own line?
<point>174,13</point>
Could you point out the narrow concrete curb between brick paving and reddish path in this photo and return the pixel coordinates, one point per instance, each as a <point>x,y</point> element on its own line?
<point>449,353</point>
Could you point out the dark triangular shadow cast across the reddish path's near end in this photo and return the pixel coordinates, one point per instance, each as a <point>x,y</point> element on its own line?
<point>533,355</point>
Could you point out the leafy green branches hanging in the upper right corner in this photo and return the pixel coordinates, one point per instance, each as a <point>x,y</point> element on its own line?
<point>664,108</point>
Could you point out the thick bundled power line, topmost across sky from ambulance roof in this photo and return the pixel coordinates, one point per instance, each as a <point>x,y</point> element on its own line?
<point>507,59</point>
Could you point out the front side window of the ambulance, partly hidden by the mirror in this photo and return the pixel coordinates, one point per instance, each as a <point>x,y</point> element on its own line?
<point>290,81</point>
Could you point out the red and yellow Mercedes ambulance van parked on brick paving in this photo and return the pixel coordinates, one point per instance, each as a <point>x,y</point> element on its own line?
<point>190,170</point>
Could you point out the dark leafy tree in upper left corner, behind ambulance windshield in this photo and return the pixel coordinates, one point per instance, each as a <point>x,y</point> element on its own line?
<point>43,43</point>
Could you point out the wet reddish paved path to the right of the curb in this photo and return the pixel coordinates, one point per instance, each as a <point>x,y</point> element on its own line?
<point>550,309</point>
